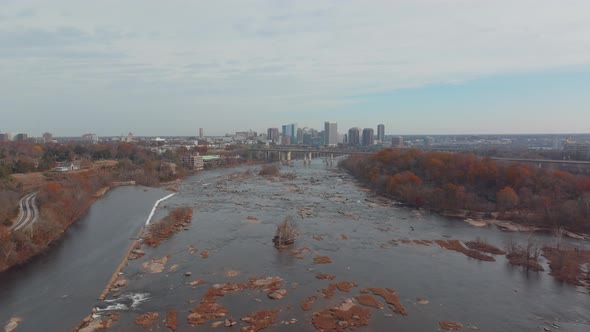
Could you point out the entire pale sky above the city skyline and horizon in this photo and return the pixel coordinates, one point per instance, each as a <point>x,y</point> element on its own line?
<point>150,67</point>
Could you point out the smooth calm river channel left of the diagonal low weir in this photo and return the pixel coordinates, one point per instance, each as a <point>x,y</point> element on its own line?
<point>54,291</point>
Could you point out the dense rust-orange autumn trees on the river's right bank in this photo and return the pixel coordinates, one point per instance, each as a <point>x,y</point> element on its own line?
<point>457,182</point>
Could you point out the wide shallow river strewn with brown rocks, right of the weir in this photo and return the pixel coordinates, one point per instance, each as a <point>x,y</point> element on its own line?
<point>359,262</point>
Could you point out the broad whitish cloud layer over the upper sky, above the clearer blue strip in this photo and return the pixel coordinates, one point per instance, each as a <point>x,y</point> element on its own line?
<point>285,56</point>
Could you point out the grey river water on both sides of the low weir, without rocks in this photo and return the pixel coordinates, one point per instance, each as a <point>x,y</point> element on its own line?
<point>344,221</point>
